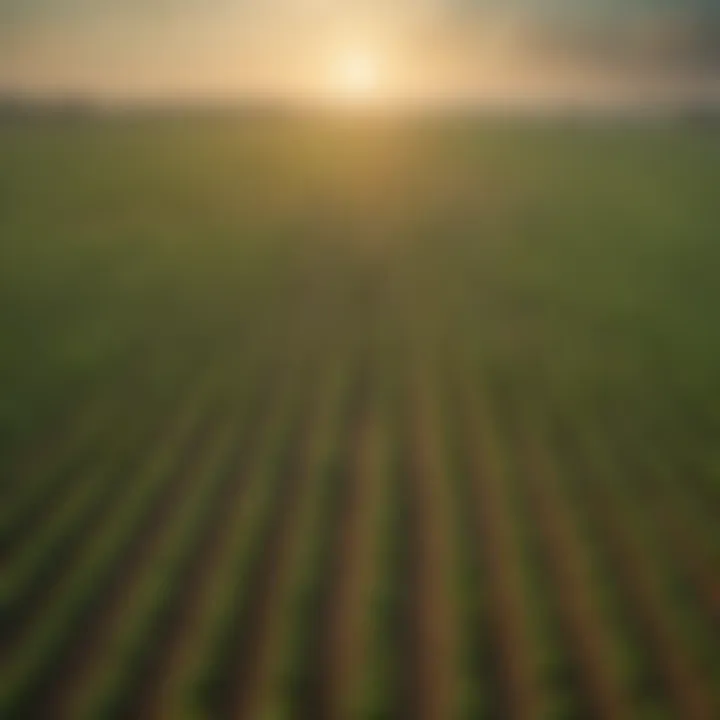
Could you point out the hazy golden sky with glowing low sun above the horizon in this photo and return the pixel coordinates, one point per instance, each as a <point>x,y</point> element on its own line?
<point>431,49</point>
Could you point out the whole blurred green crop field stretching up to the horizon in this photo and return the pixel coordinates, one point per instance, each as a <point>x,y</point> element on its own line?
<point>343,417</point>
